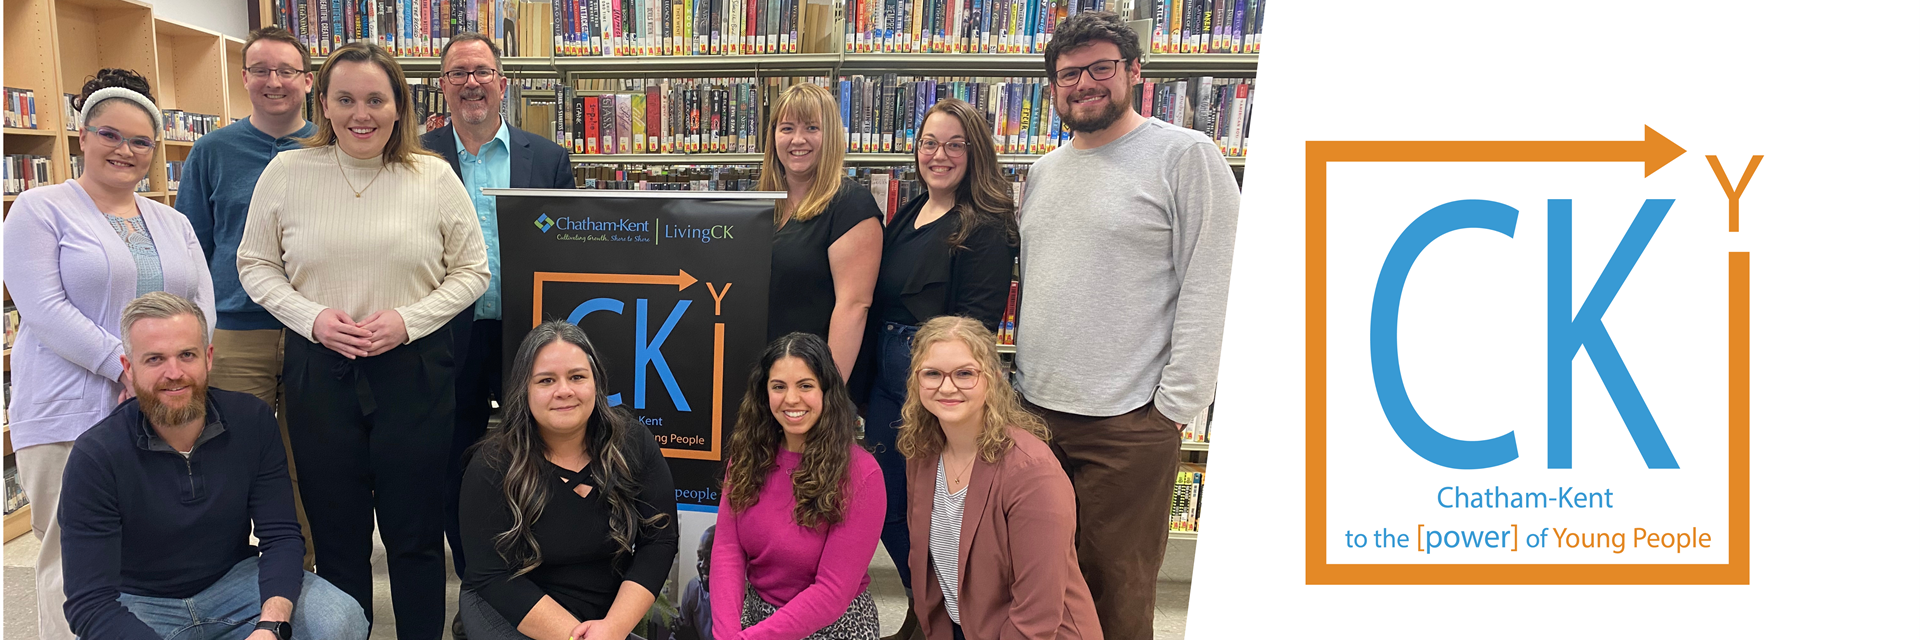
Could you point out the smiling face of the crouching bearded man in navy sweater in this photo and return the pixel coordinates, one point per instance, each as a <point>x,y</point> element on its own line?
<point>170,360</point>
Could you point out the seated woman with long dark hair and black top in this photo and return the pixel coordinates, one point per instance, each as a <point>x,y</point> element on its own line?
<point>567,510</point>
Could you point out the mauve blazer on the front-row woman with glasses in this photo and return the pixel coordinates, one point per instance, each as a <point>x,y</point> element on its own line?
<point>1019,570</point>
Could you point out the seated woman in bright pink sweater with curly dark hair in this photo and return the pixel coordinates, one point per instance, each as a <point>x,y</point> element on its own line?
<point>802,508</point>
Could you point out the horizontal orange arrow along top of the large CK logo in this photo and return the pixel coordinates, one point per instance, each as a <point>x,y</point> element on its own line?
<point>1654,151</point>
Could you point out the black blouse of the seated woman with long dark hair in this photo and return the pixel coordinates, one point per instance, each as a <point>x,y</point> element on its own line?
<point>581,566</point>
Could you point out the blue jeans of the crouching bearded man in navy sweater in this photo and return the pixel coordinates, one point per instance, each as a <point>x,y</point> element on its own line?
<point>229,608</point>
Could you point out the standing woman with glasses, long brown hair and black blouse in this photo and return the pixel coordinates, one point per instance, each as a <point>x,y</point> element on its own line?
<point>948,253</point>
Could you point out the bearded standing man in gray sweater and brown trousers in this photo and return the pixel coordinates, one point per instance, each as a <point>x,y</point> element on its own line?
<point>1126,255</point>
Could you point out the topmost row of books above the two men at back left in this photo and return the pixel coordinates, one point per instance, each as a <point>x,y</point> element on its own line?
<point>542,30</point>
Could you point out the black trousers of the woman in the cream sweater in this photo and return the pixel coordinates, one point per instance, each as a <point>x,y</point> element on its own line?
<point>372,441</point>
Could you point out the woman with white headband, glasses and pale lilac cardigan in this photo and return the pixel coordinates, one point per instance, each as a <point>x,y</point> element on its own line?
<point>76,255</point>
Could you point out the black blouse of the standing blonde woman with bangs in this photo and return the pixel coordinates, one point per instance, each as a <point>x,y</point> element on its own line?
<point>802,295</point>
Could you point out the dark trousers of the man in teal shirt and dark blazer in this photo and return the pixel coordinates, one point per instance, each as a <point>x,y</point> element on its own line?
<point>477,355</point>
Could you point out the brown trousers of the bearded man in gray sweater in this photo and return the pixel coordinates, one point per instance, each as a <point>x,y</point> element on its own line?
<point>1122,472</point>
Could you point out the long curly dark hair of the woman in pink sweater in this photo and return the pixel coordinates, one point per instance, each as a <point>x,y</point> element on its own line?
<point>819,487</point>
